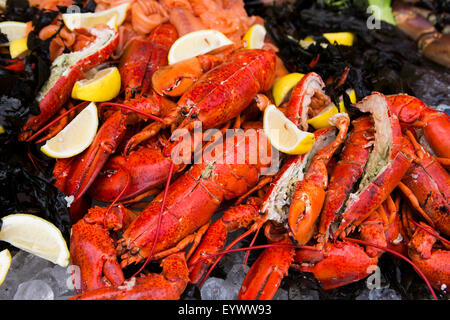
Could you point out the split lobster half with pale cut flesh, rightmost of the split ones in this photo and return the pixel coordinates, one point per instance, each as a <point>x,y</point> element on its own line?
<point>387,164</point>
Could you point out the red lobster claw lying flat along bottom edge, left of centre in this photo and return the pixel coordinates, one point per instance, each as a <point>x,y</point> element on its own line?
<point>169,285</point>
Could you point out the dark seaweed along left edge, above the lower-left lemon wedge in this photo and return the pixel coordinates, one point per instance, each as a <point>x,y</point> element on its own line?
<point>25,174</point>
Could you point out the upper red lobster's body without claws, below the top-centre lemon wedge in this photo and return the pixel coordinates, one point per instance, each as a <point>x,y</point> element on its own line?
<point>225,91</point>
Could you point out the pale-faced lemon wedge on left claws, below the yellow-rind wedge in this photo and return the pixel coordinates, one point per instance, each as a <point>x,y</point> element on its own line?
<point>75,137</point>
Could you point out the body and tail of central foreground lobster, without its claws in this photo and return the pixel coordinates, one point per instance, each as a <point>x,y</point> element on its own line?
<point>195,196</point>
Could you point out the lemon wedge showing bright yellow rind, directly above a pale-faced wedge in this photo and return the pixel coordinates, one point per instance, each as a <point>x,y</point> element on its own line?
<point>103,86</point>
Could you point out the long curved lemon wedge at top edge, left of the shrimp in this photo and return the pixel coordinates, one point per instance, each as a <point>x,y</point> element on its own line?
<point>90,19</point>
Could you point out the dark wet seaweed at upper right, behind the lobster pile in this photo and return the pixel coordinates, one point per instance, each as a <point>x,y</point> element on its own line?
<point>378,61</point>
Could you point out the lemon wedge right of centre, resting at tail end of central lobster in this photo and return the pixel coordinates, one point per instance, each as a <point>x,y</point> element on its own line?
<point>283,134</point>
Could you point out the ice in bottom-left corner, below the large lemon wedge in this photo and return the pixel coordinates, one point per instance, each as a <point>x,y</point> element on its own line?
<point>33,278</point>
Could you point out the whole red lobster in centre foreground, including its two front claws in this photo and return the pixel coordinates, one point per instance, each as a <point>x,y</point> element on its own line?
<point>165,227</point>
